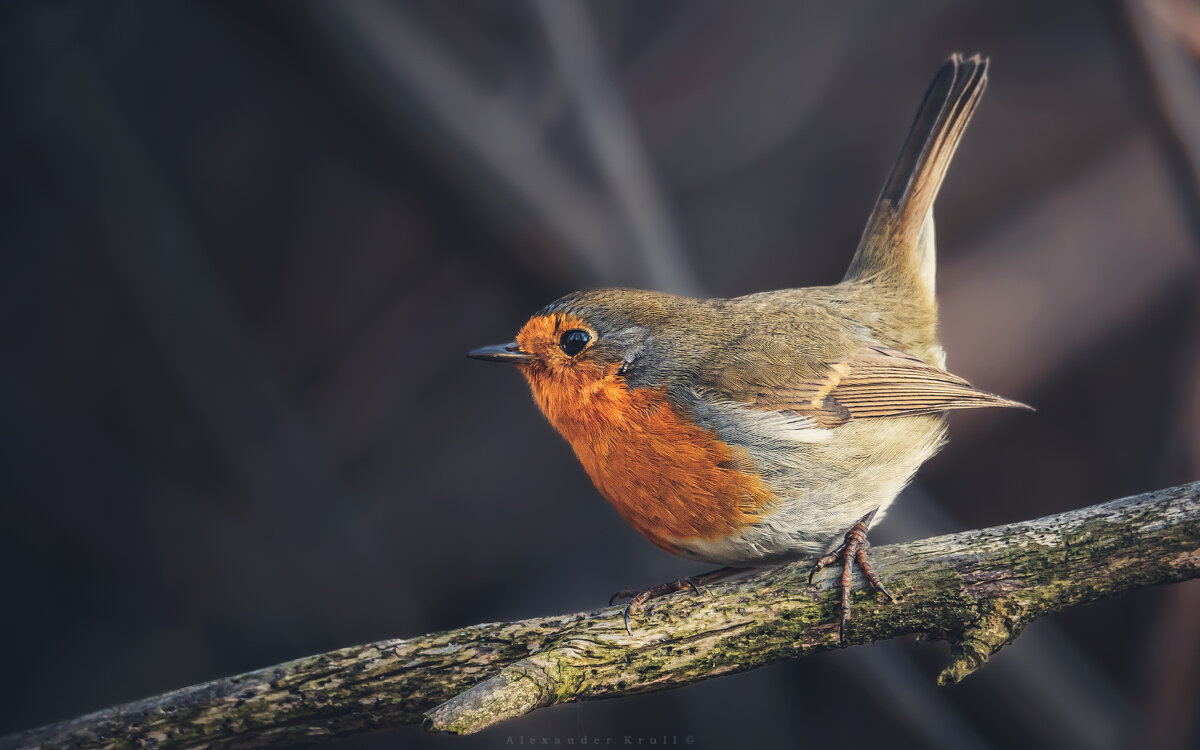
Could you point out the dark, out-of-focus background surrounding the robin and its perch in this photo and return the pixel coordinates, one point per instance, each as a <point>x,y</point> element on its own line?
<point>247,247</point>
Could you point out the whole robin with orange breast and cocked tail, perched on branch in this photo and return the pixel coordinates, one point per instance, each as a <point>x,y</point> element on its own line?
<point>758,430</point>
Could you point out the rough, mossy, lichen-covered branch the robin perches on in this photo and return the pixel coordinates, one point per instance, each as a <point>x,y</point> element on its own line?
<point>976,590</point>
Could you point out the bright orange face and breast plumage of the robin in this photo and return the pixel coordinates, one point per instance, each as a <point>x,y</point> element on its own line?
<point>669,478</point>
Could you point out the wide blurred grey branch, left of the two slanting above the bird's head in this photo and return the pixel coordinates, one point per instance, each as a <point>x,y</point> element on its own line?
<point>482,127</point>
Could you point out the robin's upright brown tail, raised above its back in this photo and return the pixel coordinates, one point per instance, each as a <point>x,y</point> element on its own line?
<point>898,244</point>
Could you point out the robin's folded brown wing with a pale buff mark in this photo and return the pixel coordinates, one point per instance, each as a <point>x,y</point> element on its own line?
<point>873,383</point>
